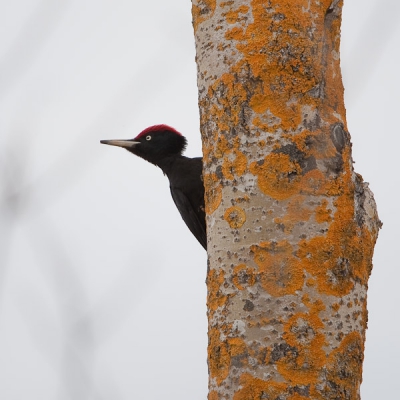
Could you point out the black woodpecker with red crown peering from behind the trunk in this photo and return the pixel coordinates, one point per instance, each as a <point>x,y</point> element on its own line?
<point>163,146</point>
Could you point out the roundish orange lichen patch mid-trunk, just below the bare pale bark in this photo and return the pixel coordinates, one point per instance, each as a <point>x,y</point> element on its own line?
<point>280,272</point>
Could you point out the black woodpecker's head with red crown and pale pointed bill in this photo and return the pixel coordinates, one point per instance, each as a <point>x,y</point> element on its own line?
<point>154,143</point>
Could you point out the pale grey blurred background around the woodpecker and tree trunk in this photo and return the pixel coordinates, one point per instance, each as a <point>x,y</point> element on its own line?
<point>99,297</point>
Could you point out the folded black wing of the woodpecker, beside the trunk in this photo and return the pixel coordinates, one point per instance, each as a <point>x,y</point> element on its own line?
<point>188,214</point>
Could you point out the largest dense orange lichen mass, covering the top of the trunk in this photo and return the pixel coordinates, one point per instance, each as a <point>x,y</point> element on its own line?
<point>282,58</point>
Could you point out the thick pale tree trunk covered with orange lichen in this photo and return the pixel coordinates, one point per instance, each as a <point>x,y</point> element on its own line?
<point>291,227</point>
